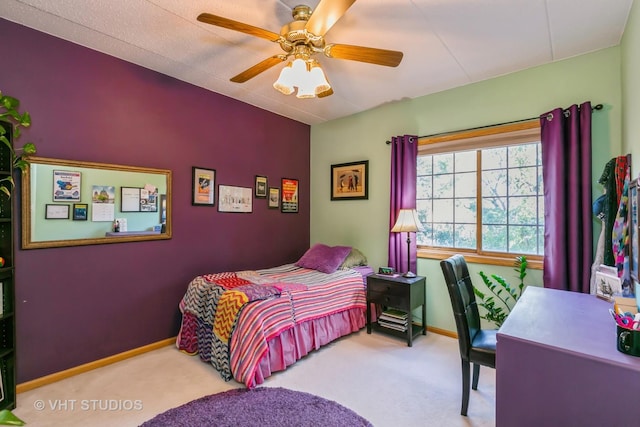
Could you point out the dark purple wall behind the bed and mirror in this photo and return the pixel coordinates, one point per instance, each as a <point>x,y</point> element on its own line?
<point>75,305</point>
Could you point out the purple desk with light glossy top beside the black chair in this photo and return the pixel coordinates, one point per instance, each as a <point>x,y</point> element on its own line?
<point>557,364</point>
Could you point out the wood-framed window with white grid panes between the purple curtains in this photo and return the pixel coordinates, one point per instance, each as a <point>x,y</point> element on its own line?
<point>480,193</point>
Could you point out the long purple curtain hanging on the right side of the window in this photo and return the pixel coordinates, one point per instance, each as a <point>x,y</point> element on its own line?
<point>566,169</point>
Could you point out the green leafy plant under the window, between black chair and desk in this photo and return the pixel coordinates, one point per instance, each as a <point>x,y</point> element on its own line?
<point>498,306</point>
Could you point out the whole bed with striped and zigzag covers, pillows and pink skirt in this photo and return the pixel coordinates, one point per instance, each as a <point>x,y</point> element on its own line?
<point>249,324</point>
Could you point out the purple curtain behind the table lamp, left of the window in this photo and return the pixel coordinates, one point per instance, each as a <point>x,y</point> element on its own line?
<point>404,154</point>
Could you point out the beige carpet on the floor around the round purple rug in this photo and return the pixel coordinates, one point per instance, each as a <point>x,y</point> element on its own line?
<point>375,375</point>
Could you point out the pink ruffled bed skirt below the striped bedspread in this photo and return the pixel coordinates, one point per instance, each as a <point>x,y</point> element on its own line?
<point>295,343</point>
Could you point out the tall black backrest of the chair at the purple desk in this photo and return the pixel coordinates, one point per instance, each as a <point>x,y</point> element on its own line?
<point>463,301</point>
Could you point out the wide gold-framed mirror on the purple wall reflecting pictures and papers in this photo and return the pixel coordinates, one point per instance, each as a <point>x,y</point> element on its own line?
<point>73,203</point>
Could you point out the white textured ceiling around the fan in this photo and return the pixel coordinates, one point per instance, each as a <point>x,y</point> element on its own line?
<point>446,43</point>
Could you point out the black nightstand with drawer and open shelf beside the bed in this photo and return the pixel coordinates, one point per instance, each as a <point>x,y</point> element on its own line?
<point>401,293</point>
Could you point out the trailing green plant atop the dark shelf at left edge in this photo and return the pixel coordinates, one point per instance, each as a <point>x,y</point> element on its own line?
<point>10,114</point>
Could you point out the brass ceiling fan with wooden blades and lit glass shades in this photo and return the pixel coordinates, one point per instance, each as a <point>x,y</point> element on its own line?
<point>302,39</point>
